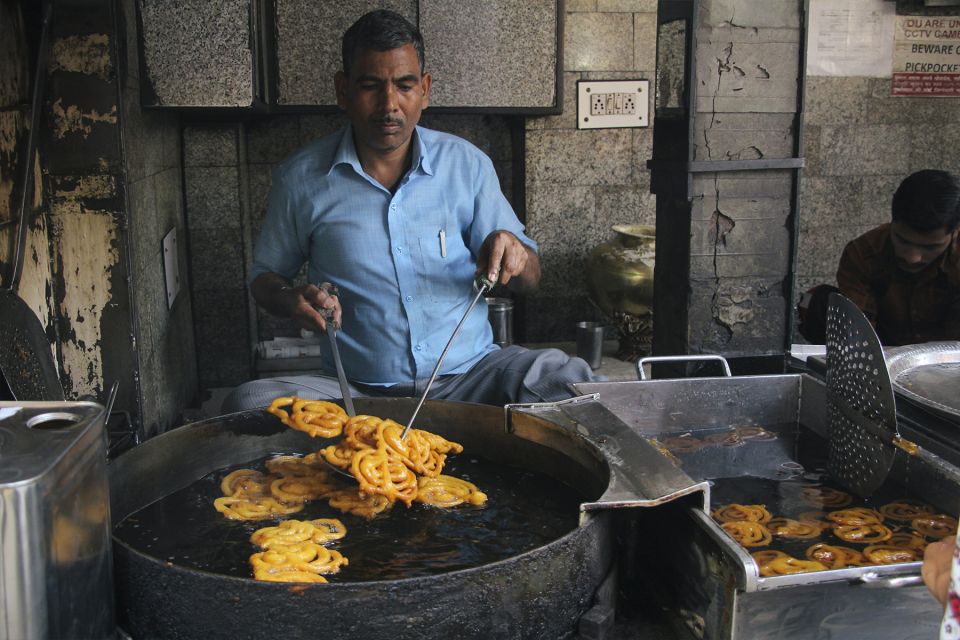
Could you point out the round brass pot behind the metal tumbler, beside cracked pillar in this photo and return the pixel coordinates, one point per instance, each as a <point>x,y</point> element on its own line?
<point>620,271</point>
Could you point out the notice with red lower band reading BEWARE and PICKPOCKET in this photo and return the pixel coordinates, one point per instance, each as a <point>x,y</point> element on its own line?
<point>926,57</point>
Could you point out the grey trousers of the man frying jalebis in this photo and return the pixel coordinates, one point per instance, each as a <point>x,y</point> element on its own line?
<point>510,375</point>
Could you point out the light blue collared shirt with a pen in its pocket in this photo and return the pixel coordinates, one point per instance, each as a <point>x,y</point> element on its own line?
<point>404,262</point>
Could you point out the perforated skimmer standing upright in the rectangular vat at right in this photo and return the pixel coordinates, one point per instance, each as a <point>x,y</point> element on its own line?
<point>863,435</point>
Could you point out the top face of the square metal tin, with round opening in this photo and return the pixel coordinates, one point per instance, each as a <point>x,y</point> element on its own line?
<point>34,436</point>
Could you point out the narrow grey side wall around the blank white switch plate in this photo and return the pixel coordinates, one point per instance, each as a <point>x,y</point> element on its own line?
<point>164,334</point>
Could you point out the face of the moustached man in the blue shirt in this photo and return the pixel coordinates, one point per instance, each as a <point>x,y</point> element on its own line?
<point>384,96</point>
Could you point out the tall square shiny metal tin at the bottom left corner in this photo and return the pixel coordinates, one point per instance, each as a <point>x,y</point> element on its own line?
<point>56,572</point>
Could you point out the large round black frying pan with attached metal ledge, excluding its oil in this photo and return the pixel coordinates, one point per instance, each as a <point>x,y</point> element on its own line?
<point>540,593</point>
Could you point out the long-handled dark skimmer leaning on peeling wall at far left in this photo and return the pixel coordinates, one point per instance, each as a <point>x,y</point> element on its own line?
<point>26,362</point>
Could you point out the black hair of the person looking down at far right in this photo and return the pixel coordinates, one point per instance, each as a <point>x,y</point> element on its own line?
<point>928,200</point>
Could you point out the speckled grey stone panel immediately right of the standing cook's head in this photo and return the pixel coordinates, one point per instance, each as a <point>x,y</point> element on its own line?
<point>497,53</point>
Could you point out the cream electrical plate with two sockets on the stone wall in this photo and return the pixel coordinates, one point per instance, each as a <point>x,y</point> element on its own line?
<point>606,104</point>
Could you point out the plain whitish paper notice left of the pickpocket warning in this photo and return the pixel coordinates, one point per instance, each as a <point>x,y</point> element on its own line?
<point>850,38</point>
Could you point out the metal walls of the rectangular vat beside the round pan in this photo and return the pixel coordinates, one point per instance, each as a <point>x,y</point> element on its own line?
<point>711,583</point>
